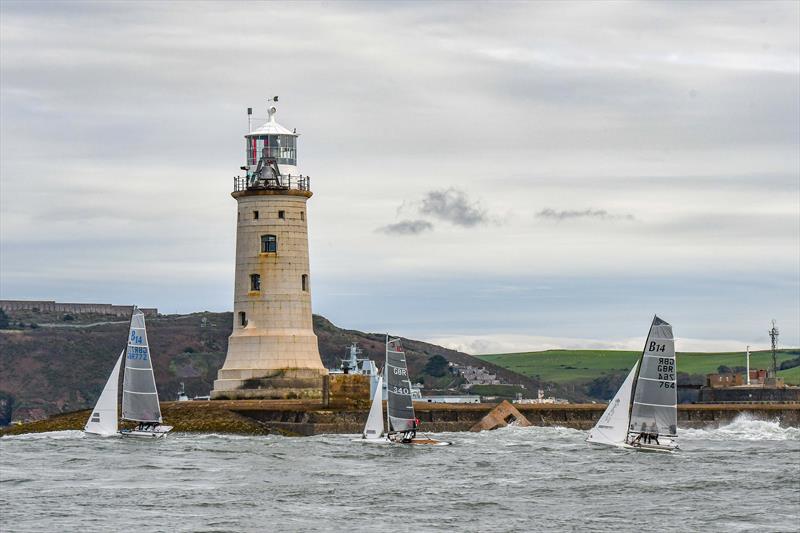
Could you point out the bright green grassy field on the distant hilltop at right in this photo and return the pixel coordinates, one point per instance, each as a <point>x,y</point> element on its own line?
<point>571,366</point>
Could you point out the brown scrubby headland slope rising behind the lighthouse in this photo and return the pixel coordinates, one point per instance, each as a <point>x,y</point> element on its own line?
<point>61,365</point>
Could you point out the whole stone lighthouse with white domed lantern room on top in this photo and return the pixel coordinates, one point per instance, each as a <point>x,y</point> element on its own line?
<point>272,352</point>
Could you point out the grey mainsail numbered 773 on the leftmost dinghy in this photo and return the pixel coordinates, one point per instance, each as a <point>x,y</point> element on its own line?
<point>139,395</point>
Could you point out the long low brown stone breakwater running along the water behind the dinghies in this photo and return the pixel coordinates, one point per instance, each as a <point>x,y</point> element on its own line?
<point>298,417</point>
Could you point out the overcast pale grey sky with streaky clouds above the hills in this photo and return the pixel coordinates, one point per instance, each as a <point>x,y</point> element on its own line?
<point>493,177</point>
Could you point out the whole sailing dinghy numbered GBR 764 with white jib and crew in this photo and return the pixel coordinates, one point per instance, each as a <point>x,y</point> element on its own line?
<point>644,413</point>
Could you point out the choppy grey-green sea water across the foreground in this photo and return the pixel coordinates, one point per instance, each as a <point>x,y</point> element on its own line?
<point>743,477</point>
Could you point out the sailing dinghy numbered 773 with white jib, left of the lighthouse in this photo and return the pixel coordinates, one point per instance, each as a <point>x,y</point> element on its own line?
<point>139,394</point>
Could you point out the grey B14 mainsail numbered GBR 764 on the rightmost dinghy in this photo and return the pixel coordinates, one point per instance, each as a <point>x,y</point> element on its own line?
<point>654,407</point>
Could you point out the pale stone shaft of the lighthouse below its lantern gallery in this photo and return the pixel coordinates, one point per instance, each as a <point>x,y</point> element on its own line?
<point>278,333</point>
